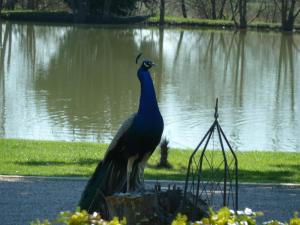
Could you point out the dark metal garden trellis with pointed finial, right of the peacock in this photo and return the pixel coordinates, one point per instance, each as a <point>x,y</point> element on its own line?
<point>212,174</point>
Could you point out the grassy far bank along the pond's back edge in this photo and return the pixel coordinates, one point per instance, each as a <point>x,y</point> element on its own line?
<point>66,17</point>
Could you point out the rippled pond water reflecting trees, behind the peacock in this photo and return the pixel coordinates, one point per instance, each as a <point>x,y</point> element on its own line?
<point>78,83</point>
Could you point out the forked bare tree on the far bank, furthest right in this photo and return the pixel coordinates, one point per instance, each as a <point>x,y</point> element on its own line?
<point>288,13</point>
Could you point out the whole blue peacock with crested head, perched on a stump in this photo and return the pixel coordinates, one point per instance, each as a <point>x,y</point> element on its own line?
<point>122,168</point>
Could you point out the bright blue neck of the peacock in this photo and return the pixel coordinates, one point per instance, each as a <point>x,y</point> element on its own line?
<point>148,101</point>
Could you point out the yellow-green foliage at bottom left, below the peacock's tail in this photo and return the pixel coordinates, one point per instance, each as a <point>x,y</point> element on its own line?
<point>80,218</point>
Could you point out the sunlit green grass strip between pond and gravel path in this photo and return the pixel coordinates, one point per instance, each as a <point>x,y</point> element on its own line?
<point>49,158</point>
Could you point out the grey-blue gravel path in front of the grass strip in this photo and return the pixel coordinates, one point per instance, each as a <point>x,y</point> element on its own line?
<point>23,199</point>
